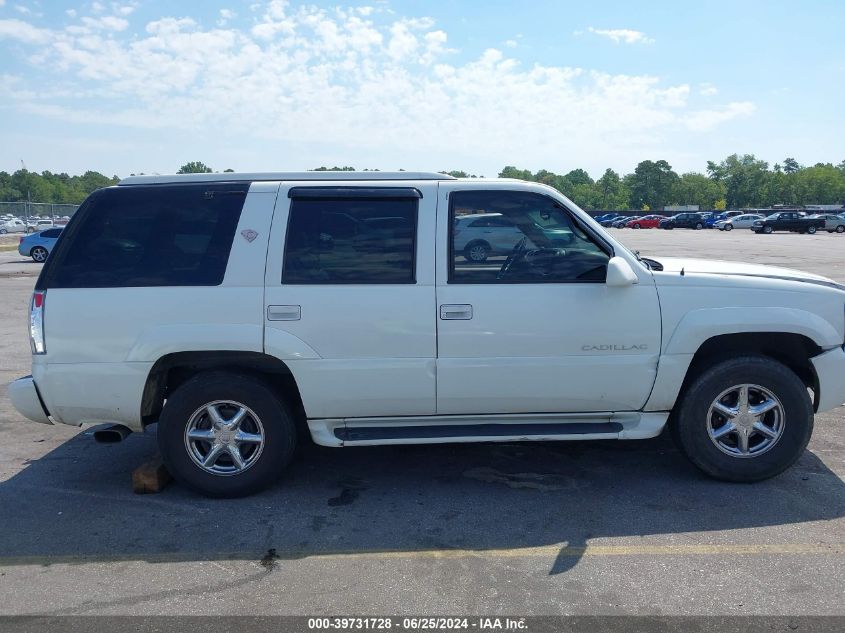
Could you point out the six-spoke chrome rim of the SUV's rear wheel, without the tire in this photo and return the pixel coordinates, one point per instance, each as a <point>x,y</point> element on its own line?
<point>224,437</point>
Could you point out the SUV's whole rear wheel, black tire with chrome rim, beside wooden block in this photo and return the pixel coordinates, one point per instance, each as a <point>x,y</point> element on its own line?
<point>226,434</point>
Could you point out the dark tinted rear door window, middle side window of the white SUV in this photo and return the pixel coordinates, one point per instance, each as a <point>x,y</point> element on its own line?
<point>351,241</point>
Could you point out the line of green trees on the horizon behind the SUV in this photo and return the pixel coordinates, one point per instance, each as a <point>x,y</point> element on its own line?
<point>739,181</point>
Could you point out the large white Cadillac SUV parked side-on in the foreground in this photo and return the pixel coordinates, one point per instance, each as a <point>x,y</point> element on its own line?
<point>242,312</point>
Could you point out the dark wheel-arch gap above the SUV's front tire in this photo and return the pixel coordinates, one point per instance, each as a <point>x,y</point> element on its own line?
<point>792,350</point>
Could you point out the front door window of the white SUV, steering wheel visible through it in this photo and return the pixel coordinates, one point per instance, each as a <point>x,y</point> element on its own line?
<point>532,239</point>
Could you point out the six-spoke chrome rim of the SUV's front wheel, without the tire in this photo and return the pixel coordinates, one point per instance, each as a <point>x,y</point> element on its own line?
<point>745,421</point>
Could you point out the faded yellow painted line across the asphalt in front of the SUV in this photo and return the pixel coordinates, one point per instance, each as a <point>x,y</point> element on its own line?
<point>550,551</point>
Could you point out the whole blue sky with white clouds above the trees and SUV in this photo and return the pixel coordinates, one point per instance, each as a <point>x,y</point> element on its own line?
<point>140,86</point>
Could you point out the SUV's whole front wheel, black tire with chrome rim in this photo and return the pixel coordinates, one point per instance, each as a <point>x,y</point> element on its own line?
<point>745,419</point>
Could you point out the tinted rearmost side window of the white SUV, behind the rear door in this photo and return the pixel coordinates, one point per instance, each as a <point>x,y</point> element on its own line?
<point>172,235</point>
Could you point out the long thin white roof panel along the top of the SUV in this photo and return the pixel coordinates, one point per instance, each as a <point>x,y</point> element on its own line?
<point>293,175</point>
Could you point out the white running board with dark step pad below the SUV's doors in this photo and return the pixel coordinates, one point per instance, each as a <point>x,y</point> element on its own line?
<point>490,428</point>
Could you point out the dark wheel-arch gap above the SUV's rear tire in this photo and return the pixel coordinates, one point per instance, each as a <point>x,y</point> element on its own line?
<point>171,371</point>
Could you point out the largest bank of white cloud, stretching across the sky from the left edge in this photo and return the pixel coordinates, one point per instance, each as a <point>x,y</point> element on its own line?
<point>356,79</point>
